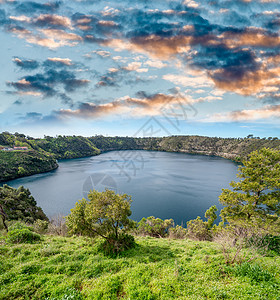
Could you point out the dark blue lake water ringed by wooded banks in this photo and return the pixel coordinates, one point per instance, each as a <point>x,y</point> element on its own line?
<point>165,185</point>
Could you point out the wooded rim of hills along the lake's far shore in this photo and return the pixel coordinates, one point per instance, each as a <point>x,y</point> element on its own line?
<point>43,153</point>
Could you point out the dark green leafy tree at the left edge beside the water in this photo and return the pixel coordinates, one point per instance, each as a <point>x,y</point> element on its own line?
<point>18,204</point>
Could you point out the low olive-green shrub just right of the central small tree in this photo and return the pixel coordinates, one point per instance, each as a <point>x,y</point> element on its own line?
<point>154,227</point>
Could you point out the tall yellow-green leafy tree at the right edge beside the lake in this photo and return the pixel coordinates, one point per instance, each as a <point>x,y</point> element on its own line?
<point>255,200</point>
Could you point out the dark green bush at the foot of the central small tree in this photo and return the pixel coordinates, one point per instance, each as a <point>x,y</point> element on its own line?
<point>112,247</point>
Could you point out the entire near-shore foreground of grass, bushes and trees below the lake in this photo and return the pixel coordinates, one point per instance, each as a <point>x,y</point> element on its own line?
<point>99,253</point>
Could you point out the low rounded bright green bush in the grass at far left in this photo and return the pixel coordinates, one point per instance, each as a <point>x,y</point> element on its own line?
<point>22,235</point>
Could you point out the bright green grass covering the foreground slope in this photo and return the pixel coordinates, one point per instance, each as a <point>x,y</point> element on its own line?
<point>72,268</point>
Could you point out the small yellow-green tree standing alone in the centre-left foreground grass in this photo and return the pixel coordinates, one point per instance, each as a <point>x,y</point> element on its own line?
<point>105,214</point>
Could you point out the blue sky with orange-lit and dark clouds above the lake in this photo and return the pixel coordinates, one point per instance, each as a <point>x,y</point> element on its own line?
<point>140,68</point>
